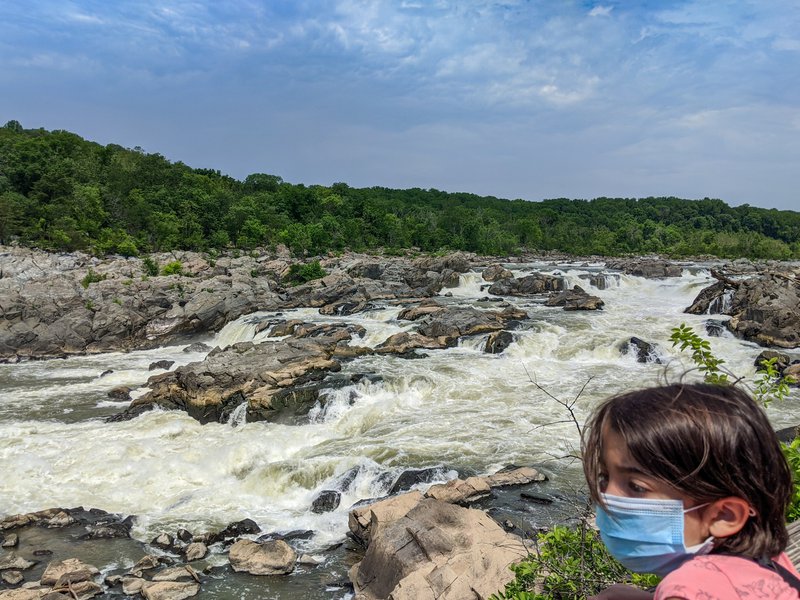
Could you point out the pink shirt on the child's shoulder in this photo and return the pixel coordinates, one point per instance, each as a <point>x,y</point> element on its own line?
<point>723,577</point>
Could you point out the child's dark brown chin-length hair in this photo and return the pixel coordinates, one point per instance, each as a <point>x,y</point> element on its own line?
<point>707,442</point>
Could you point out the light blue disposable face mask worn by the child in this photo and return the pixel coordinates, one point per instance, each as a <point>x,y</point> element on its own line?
<point>646,535</point>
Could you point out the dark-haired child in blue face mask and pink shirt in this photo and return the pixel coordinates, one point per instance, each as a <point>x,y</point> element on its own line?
<point>690,483</point>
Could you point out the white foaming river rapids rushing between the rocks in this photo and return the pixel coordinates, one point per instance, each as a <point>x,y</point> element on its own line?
<point>459,409</point>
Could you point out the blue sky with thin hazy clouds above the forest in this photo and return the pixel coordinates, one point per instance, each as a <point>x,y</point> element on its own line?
<point>514,99</point>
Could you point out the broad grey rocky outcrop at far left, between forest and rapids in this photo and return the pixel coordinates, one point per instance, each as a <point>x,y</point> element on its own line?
<point>55,305</point>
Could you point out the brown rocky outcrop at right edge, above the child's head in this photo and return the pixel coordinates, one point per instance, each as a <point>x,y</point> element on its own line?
<point>764,308</point>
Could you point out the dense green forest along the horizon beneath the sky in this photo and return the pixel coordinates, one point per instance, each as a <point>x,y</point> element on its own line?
<point>61,192</point>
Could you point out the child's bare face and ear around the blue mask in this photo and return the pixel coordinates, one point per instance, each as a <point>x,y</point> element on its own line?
<point>621,475</point>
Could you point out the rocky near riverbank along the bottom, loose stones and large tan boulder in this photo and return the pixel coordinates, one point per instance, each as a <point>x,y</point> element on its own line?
<point>441,555</point>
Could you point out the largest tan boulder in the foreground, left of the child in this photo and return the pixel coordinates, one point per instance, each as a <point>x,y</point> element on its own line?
<point>437,550</point>
